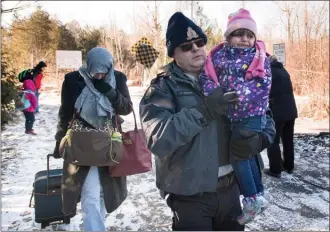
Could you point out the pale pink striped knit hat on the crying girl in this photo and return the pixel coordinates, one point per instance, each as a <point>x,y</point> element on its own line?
<point>240,19</point>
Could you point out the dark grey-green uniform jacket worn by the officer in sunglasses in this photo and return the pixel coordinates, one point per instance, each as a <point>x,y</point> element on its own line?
<point>185,146</point>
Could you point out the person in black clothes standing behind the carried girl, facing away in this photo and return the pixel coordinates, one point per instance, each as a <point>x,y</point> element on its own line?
<point>283,106</point>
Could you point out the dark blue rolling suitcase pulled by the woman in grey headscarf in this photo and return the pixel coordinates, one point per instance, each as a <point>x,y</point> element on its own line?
<point>48,198</point>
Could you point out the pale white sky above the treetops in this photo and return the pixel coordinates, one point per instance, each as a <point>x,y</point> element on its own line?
<point>97,13</point>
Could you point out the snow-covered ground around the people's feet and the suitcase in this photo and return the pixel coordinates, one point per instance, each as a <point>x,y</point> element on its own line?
<point>301,200</point>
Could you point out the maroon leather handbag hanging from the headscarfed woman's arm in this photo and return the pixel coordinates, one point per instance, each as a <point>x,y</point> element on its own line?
<point>136,158</point>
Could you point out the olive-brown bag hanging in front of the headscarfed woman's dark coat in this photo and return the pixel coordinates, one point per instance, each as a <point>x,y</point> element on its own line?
<point>85,146</point>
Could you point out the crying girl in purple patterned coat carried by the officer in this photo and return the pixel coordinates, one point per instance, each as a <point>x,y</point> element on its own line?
<point>241,65</point>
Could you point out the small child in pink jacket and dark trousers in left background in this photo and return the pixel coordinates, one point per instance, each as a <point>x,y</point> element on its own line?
<point>30,89</point>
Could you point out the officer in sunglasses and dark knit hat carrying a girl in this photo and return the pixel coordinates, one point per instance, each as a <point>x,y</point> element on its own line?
<point>189,136</point>
